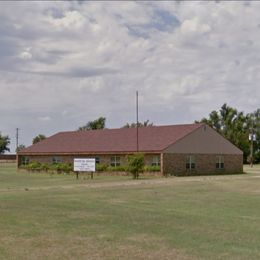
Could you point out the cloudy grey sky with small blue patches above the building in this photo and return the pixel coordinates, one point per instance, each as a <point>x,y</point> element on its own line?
<point>63,64</point>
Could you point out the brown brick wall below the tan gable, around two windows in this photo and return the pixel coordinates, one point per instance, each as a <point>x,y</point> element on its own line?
<point>175,164</point>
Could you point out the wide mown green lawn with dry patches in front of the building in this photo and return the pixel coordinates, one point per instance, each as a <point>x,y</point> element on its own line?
<point>59,217</point>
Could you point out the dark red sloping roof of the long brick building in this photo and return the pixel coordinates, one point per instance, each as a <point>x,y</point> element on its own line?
<point>123,140</point>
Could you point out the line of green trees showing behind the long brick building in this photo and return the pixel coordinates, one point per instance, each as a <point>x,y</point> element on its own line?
<point>232,124</point>
